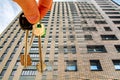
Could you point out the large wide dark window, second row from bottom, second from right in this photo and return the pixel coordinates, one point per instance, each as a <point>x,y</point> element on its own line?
<point>96,49</point>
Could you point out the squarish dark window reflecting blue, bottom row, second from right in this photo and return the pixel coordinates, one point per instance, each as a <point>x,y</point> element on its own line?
<point>95,65</point>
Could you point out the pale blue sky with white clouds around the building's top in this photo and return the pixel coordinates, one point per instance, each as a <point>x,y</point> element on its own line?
<point>9,10</point>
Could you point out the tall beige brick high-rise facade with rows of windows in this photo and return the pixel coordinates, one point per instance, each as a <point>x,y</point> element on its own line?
<point>82,43</point>
